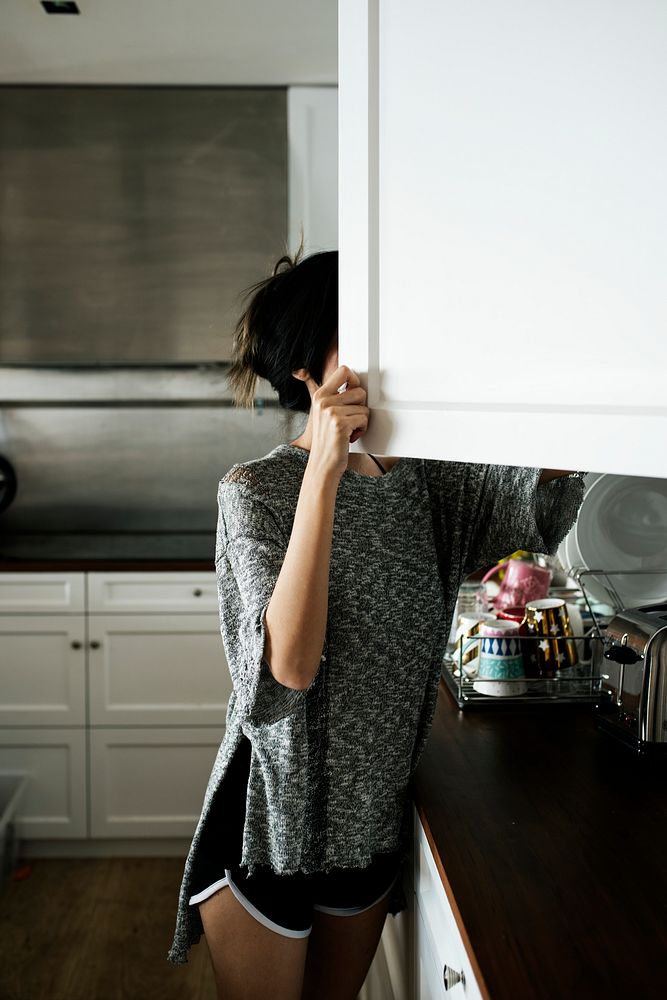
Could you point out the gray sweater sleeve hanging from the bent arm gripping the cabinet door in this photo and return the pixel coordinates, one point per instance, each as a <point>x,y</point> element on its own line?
<point>250,549</point>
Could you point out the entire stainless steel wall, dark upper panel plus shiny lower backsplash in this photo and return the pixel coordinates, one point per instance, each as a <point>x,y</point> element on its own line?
<point>132,220</point>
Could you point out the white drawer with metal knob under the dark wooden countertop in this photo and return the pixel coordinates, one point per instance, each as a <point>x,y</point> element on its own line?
<point>438,919</point>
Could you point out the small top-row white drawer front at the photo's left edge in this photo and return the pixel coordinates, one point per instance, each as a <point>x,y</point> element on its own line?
<point>26,593</point>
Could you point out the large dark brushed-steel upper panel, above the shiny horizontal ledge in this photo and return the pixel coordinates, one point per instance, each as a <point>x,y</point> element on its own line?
<point>133,218</point>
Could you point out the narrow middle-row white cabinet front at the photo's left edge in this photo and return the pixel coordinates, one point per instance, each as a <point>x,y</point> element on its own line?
<point>42,670</point>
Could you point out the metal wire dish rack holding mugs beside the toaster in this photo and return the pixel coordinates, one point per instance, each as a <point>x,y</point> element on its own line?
<point>584,681</point>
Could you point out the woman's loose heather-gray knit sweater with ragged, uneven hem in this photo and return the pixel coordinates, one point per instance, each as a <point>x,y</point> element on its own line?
<point>330,765</point>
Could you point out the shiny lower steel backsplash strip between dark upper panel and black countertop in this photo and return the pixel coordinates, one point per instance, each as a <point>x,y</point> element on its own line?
<point>130,449</point>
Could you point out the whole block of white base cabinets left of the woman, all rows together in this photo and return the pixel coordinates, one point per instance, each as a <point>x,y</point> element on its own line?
<point>113,696</point>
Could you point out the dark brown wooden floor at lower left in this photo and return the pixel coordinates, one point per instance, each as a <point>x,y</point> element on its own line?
<point>97,929</point>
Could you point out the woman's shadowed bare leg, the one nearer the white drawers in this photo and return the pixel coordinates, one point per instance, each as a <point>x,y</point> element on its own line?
<point>340,952</point>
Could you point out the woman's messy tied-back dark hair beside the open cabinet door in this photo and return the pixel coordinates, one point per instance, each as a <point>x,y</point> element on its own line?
<point>290,322</point>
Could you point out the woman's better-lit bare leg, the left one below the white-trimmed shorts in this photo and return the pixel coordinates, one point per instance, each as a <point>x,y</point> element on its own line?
<point>250,961</point>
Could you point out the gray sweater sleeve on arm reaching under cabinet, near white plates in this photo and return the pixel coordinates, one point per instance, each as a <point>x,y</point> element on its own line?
<point>484,512</point>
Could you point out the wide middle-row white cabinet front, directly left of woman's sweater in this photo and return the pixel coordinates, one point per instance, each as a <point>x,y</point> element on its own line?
<point>157,670</point>
